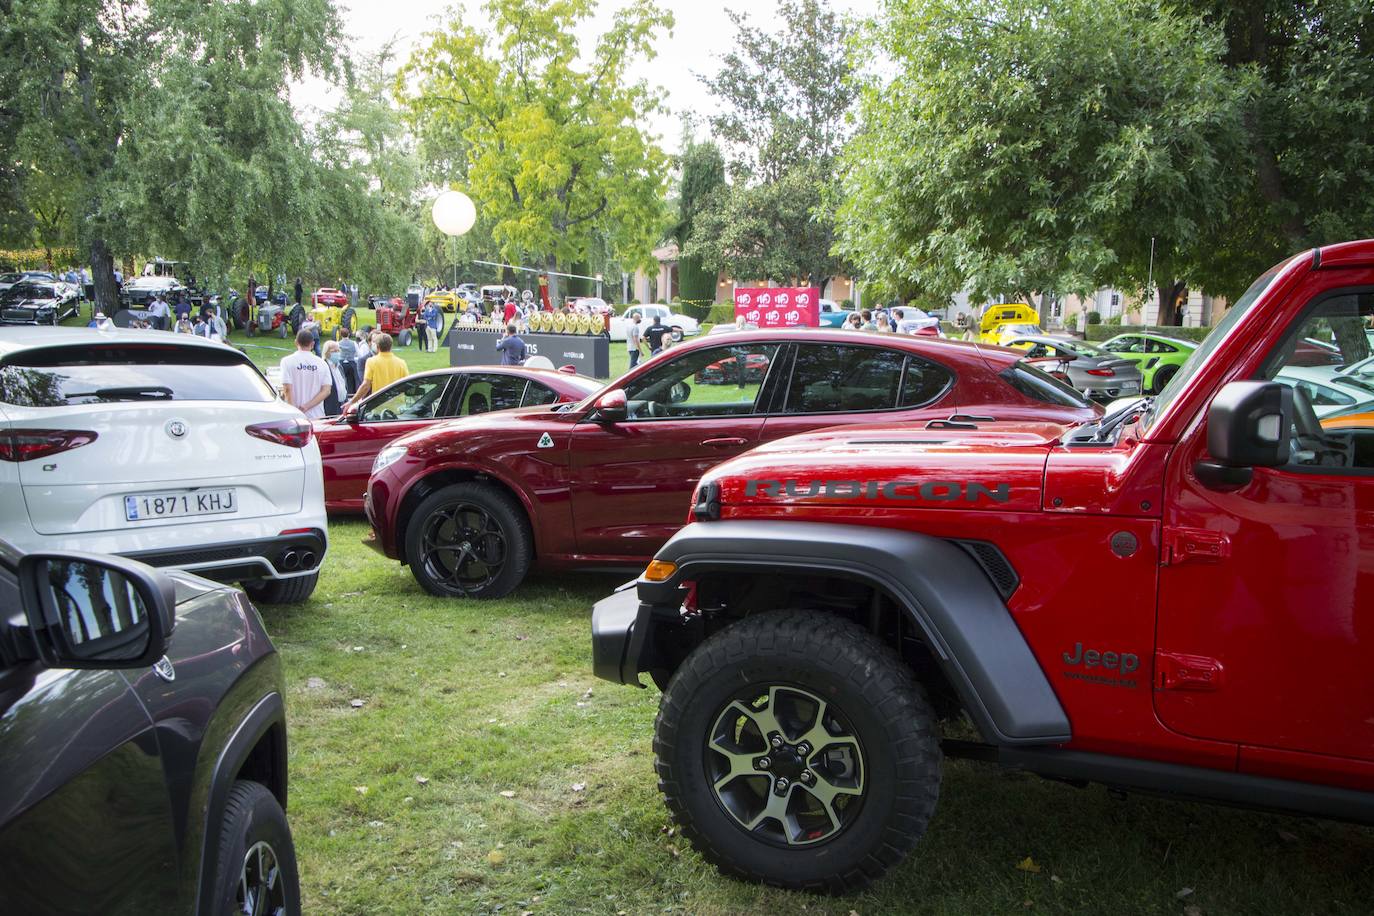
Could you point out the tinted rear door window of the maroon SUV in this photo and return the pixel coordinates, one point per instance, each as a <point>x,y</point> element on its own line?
<point>842,380</point>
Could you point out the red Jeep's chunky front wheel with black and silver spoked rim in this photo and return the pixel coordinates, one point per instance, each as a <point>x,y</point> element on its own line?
<point>798,751</point>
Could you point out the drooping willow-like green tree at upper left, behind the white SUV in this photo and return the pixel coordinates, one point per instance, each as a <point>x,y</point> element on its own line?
<point>168,123</point>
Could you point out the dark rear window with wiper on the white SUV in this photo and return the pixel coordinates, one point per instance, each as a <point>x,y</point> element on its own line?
<point>61,377</point>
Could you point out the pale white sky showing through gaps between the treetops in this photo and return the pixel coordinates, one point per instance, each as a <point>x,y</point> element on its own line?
<point>701,35</point>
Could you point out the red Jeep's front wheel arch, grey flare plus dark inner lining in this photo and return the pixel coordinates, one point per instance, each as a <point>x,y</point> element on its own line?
<point>945,598</point>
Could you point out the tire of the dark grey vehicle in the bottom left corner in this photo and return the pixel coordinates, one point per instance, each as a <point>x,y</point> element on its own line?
<point>252,816</point>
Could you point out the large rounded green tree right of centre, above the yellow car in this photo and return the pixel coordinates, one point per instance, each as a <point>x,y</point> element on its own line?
<point>1042,146</point>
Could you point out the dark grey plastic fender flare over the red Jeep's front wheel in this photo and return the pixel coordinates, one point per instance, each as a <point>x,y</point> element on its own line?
<point>938,584</point>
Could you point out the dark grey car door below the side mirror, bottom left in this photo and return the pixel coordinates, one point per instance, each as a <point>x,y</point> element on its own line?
<point>86,814</point>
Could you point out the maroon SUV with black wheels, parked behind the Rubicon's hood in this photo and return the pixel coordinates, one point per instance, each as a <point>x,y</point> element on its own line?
<point>472,505</point>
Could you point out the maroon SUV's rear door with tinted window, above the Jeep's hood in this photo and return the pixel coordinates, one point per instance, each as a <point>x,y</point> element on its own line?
<point>842,385</point>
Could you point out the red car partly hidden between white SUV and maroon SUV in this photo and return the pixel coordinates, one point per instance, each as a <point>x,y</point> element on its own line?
<point>350,443</point>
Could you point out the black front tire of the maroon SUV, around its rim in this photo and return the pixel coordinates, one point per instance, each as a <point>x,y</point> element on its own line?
<point>513,528</point>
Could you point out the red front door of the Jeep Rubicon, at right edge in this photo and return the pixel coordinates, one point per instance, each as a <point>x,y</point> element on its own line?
<point>1266,610</point>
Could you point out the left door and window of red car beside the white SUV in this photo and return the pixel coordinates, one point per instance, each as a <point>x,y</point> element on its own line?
<point>401,409</point>
